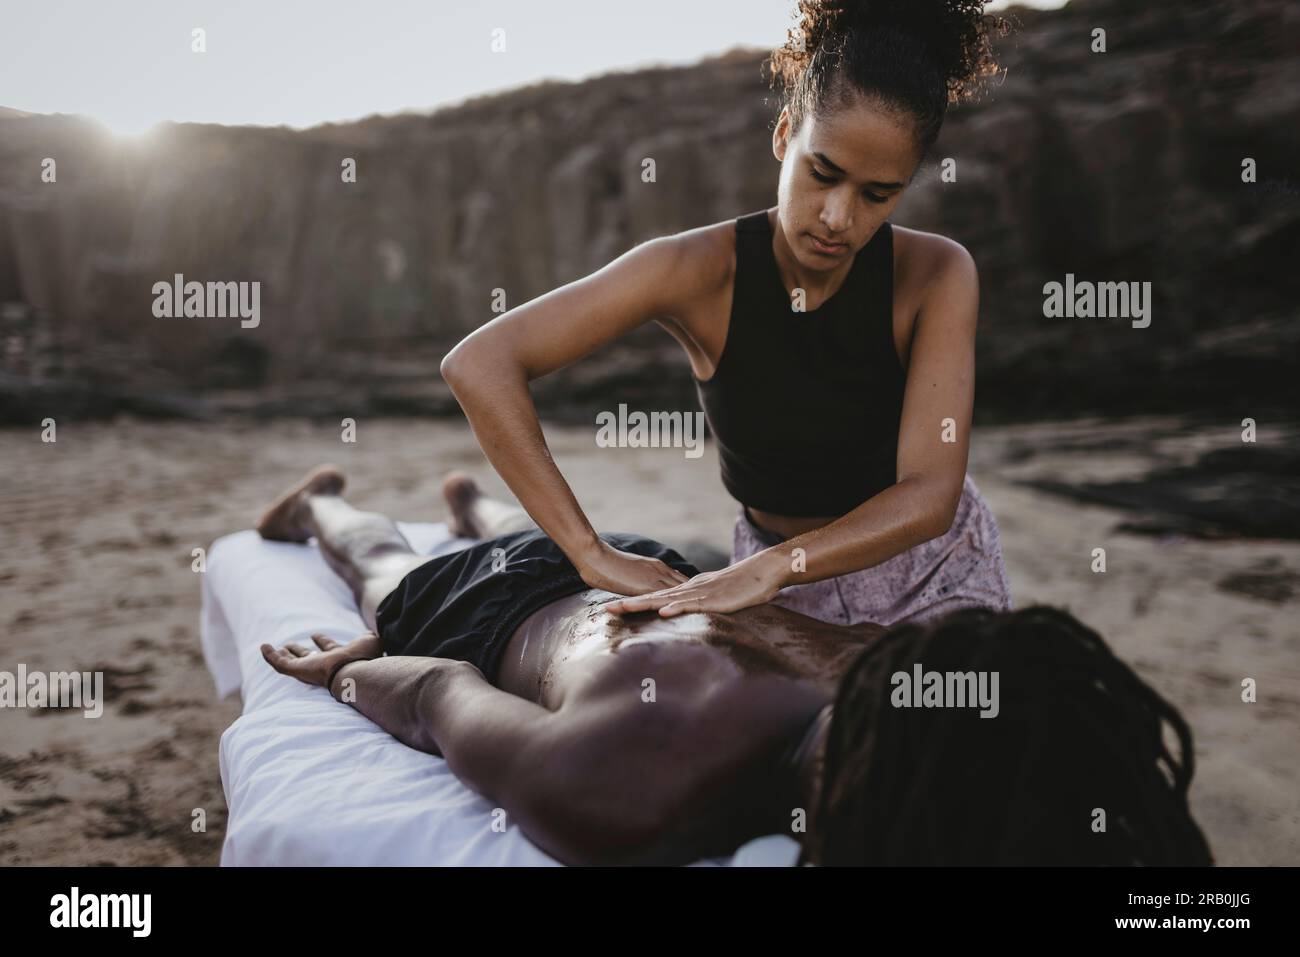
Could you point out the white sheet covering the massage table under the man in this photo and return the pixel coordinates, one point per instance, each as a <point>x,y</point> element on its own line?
<point>313,782</point>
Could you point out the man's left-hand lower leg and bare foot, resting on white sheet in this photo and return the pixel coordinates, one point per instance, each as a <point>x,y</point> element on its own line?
<point>366,549</point>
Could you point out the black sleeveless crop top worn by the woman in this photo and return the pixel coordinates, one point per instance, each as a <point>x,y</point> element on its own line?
<point>805,406</point>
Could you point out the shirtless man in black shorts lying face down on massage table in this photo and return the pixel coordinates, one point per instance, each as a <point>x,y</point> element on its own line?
<point>639,739</point>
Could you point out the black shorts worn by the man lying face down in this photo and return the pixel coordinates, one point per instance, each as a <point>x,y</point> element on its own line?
<point>467,605</point>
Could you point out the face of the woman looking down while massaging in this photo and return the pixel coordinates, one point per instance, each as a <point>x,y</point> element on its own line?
<point>842,176</point>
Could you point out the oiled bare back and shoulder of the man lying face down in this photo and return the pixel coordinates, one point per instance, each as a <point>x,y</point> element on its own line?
<point>713,738</point>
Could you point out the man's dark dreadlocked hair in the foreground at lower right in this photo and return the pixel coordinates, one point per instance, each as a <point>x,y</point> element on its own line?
<point>1073,770</point>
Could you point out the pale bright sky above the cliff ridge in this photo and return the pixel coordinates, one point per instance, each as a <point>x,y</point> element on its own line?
<point>301,63</point>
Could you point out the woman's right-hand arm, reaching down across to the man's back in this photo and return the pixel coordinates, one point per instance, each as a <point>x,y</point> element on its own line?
<point>918,508</point>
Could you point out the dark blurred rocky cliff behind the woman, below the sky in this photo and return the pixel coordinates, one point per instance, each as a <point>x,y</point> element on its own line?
<point>1125,166</point>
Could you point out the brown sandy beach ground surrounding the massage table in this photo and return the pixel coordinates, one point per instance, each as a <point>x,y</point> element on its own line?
<point>96,574</point>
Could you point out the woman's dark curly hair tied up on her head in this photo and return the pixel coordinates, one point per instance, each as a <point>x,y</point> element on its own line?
<point>916,57</point>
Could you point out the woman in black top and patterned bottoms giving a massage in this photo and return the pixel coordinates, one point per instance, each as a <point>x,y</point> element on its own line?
<point>840,399</point>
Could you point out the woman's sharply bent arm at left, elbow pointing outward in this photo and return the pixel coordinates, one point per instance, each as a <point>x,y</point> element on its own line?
<point>489,373</point>
